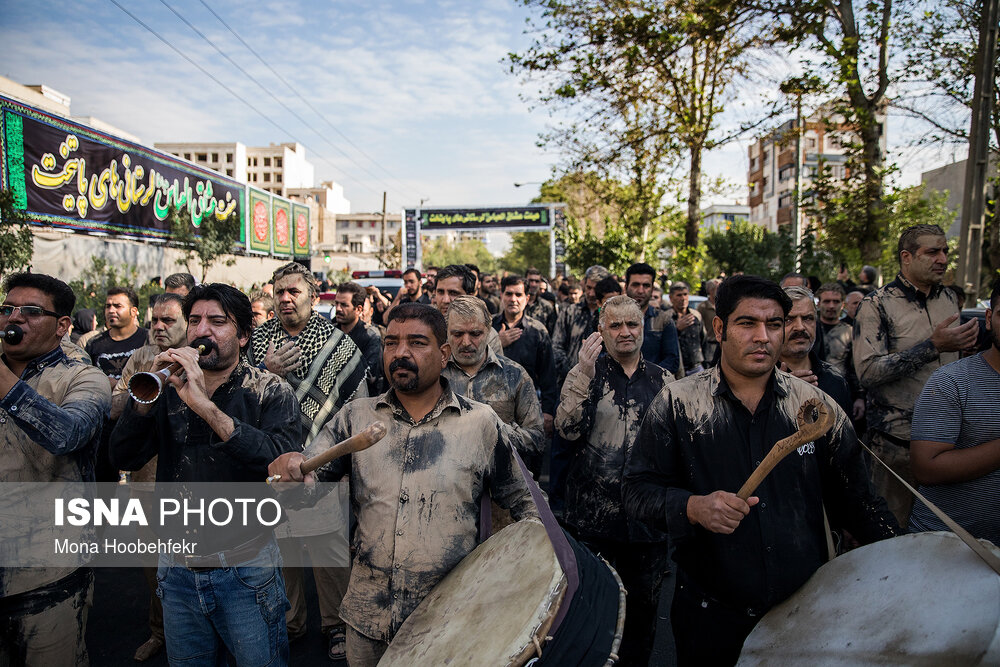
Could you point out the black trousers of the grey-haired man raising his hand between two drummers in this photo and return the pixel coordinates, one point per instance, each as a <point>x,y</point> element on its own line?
<point>641,567</point>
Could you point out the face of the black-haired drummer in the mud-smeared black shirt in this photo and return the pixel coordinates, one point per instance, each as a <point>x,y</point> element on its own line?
<point>753,337</point>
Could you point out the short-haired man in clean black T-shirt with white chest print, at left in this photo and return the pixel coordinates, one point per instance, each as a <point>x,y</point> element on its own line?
<point>110,350</point>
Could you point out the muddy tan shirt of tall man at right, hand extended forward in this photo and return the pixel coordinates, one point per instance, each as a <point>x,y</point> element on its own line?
<point>893,353</point>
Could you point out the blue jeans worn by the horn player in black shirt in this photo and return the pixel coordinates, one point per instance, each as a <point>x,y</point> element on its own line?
<point>239,608</point>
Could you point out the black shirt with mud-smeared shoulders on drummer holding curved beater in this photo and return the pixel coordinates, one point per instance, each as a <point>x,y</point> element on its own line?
<point>697,438</point>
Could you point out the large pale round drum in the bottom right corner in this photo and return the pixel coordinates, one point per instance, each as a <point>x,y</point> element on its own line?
<point>920,599</point>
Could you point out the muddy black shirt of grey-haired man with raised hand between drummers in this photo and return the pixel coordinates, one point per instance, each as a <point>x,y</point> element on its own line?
<point>602,415</point>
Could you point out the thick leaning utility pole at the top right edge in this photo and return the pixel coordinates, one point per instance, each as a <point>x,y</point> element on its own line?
<point>970,251</point>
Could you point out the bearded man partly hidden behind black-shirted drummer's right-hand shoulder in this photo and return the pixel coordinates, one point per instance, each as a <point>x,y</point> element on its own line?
<point>798,356</point>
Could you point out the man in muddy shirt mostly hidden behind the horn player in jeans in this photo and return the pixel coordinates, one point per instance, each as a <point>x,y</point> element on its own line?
<point>168,330</point>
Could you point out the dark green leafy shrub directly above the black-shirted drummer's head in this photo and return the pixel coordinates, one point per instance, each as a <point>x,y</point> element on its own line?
<point>745,246</point>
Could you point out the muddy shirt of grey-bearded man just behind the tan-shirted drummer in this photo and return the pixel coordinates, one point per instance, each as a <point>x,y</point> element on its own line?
<point>505,386</point>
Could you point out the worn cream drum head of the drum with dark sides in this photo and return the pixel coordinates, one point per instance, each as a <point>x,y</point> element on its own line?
<point>490,608</point>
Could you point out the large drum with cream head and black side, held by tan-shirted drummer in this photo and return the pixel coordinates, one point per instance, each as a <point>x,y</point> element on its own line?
<point>498,605</point>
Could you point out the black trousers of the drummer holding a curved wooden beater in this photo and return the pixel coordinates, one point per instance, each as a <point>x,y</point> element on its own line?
<point>707,633</point>
